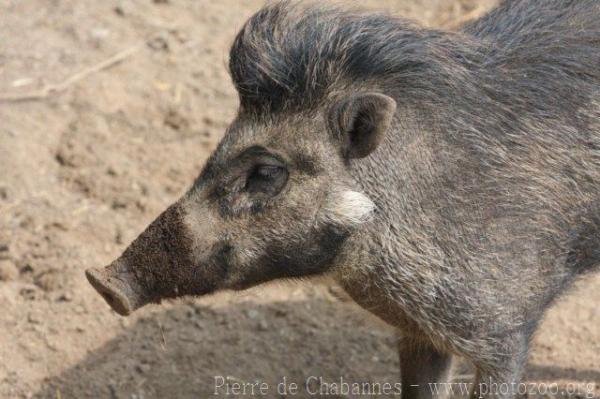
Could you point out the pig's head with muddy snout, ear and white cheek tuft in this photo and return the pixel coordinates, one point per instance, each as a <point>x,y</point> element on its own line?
<point>275,200</point>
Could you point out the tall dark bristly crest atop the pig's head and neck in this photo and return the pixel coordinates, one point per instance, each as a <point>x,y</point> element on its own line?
<point>292,55</point>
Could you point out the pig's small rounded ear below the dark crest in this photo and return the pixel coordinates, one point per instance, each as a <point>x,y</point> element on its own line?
<point>361,121</point>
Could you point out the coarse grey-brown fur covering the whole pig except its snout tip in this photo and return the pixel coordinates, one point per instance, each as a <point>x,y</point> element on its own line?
<point>486,182</point>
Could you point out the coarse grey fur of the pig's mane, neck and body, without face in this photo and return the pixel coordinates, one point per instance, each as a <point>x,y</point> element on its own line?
<point>487,187</point>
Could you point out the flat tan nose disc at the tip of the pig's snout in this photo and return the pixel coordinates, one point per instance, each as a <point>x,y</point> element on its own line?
<point>116,288</point>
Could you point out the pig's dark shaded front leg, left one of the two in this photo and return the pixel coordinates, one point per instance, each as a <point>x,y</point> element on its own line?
<point>421,367</point>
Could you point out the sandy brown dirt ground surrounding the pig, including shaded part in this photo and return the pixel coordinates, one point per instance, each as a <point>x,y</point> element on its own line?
<point>143,97</point>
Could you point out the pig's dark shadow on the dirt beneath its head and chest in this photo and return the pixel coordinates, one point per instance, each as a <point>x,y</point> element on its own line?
<point>182,352</point>
